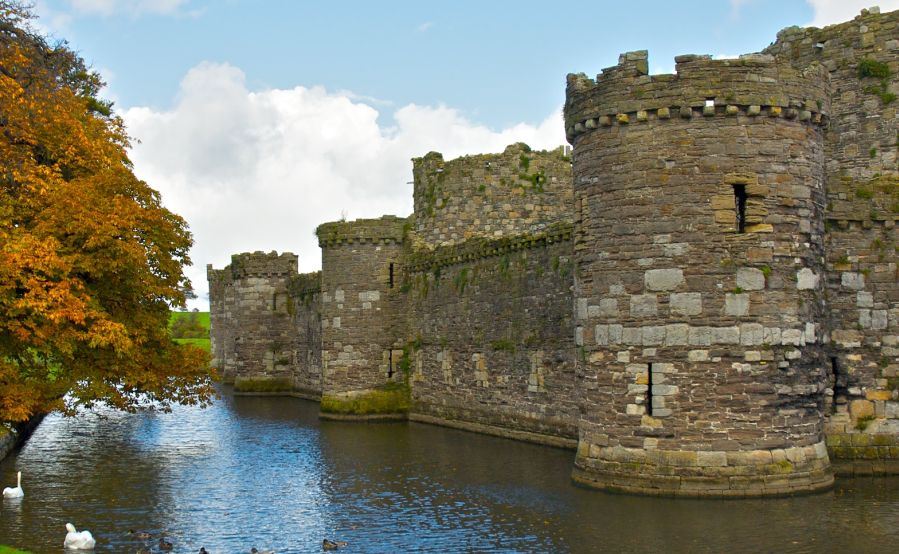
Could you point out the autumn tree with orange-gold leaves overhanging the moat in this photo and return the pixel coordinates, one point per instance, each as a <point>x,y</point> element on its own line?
<point>90,260</point>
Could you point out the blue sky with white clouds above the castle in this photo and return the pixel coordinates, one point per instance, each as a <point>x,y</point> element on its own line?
<point>257,120</point>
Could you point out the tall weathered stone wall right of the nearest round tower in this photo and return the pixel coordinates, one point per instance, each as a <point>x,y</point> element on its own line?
<point>862,58</point>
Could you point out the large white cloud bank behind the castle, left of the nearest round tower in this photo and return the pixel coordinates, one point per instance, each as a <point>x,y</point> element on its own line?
<point>260,170</point>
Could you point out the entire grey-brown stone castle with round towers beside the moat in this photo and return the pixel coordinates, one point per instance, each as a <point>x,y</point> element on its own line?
<point>701,298</point>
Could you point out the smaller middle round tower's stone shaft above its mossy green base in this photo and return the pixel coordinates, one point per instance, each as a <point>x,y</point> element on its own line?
<point>360,304</point>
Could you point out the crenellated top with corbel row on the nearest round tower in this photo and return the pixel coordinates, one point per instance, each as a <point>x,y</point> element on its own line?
<point>753,85</point>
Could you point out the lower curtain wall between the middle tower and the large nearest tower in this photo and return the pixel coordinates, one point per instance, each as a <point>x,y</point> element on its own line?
<point>492,348</point>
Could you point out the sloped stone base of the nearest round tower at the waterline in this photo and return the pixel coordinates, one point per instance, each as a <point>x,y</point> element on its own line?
<point>799,470</point>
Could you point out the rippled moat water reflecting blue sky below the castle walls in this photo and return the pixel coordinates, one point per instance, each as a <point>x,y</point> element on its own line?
<point>266,473</point>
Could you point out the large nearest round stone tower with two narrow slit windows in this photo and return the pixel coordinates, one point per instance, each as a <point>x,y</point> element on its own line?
<point>698,294</point>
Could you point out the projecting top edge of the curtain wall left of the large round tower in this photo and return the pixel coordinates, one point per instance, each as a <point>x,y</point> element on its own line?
<point>480,248</point>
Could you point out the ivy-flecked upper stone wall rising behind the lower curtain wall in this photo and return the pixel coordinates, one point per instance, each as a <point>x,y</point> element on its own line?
<point>489,195</point>
